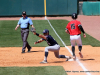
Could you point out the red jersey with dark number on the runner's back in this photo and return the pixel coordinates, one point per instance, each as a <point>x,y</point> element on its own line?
<point>73,28</point>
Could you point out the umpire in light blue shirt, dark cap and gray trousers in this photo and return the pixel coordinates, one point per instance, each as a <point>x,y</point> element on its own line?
<point>24,23</point>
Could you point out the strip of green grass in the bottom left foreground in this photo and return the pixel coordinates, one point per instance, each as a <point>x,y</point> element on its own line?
<point>46,70</point>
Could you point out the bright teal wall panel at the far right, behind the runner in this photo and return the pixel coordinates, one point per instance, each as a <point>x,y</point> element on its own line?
<point>91,8</point>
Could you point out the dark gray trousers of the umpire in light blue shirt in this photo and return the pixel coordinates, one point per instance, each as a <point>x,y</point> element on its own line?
<point>24,35</point>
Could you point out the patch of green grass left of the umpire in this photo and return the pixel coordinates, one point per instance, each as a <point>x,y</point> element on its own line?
<point>8,36</point>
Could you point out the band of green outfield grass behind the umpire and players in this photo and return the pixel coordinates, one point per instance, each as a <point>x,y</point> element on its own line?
<point>11,38</point>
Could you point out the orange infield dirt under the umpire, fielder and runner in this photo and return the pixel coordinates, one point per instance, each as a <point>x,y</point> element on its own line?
<point>12,56</point>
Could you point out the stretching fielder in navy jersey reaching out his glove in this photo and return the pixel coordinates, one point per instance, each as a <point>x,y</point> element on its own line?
<point>53,45</point>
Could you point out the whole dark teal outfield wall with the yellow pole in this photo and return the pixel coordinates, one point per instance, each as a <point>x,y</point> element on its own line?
<point>37,7</point>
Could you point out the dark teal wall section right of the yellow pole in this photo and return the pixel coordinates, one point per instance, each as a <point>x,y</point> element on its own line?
<point>61,7</point>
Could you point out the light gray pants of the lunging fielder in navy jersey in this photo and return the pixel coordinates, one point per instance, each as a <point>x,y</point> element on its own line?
<point>54,48</point>
